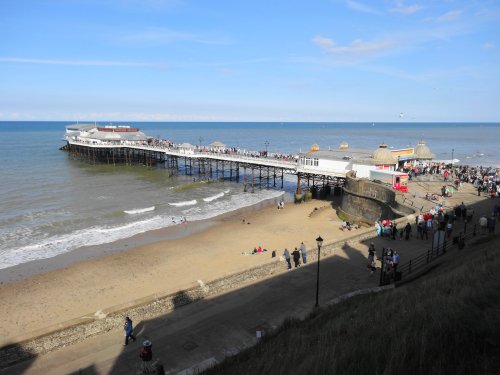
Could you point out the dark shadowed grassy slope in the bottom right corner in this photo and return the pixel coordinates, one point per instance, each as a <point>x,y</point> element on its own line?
<point>447,322</point>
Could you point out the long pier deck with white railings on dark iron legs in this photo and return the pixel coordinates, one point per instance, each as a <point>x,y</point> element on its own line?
<point>261,171</point>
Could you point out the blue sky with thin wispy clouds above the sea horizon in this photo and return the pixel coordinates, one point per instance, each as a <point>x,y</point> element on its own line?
<point>250,60</point>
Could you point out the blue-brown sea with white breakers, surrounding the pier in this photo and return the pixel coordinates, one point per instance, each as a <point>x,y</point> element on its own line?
<point>51,204</point>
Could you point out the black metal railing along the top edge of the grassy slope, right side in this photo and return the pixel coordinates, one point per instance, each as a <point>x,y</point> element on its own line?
<point>441,244</point>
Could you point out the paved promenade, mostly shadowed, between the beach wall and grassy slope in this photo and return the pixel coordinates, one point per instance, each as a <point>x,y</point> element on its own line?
<point>208,330</point>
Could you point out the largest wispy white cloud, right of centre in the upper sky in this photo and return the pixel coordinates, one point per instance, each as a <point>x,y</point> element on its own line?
<point>356,47</point>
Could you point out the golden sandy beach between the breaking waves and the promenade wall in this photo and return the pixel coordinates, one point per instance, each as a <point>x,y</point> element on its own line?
<point>167,266</point>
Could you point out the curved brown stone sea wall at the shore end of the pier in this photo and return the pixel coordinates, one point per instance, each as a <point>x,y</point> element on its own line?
<point>368,201</point>
